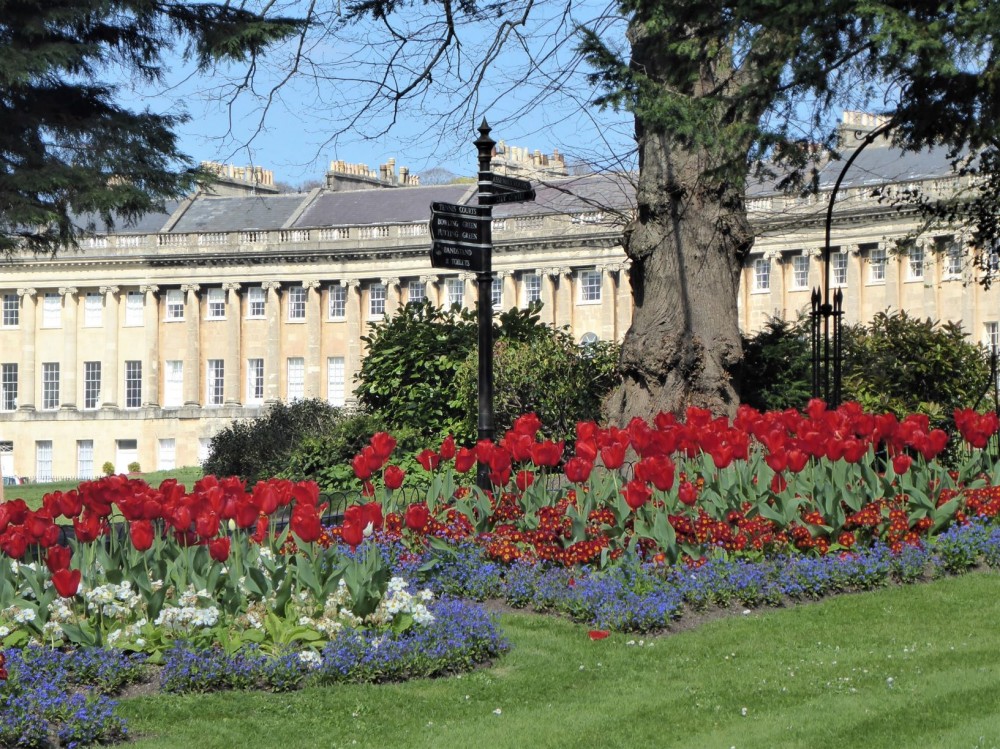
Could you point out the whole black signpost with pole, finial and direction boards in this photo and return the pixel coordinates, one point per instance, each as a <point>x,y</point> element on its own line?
<point>462,240</point>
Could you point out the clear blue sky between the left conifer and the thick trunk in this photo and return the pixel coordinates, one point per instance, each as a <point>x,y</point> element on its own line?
<point>297,138</point>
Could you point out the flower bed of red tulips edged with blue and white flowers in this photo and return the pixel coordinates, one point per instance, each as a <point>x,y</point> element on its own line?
<point>766,509</point>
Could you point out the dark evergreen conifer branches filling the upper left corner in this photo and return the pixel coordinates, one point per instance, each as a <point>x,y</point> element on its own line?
<point>67,147</point>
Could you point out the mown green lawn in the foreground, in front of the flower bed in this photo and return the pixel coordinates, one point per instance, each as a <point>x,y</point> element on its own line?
<point>915,666</point>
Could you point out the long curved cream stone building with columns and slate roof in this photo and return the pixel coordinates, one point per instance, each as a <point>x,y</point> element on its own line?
<point>144,342</point>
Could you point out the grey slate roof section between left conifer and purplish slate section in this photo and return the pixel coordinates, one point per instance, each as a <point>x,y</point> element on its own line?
<point>238,213</point>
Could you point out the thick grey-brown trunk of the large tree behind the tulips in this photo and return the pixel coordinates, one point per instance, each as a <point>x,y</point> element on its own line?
<point>687,245</point>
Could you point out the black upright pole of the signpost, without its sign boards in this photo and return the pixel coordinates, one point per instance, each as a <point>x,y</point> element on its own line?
<point>484,278</point>
